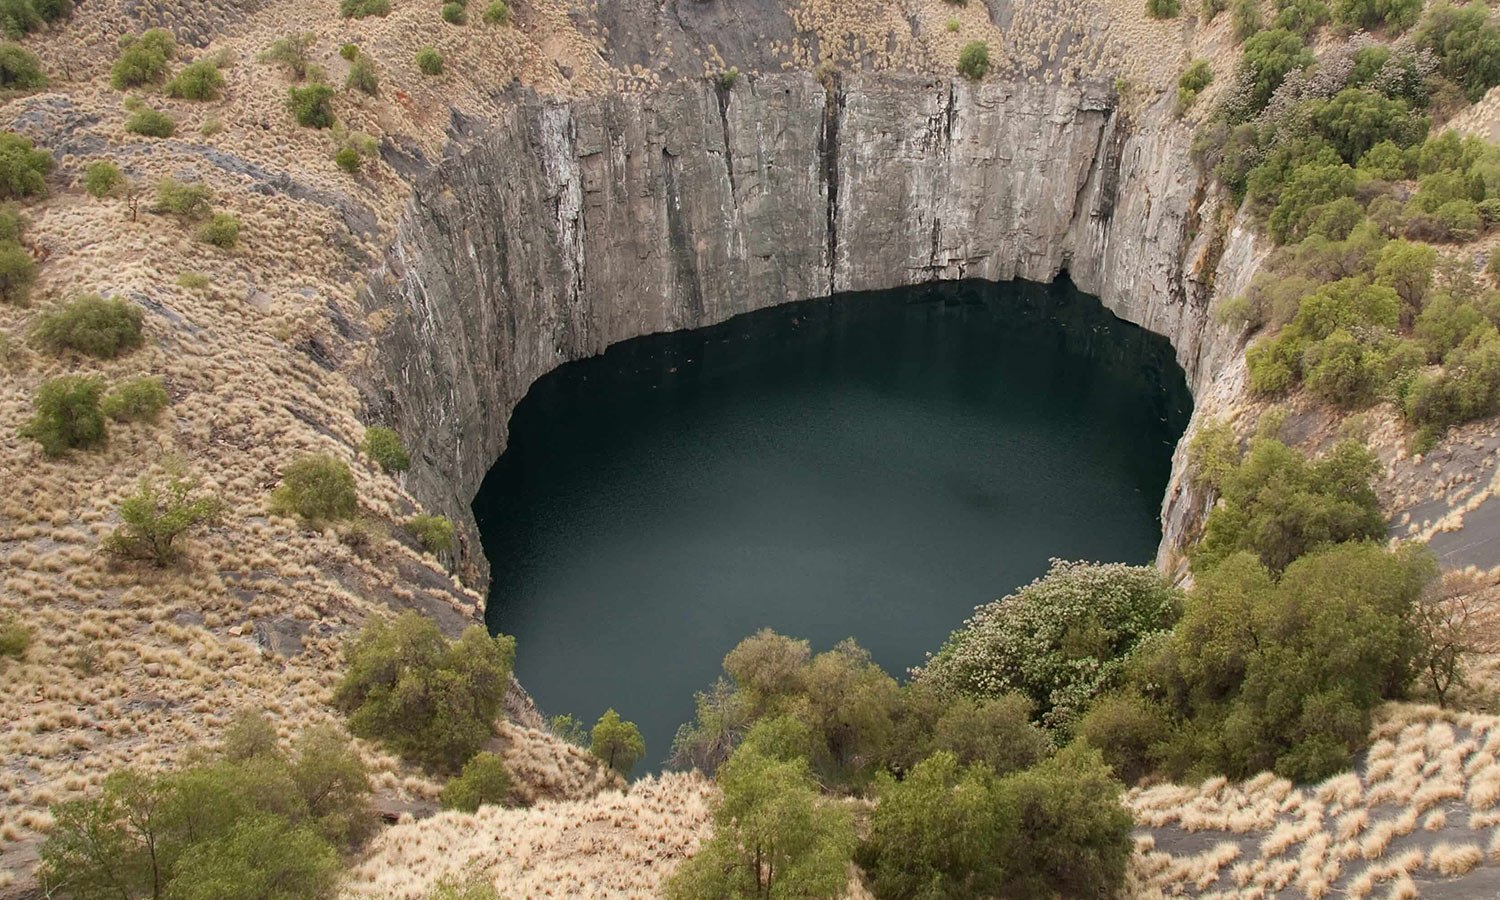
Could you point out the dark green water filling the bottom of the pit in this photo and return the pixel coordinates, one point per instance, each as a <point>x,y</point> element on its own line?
<point>869,466</point>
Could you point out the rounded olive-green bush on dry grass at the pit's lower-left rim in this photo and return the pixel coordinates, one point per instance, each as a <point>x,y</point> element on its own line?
<point>431,701</point>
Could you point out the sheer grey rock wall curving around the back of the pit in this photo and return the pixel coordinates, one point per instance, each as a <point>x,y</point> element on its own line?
<point>571,226</point>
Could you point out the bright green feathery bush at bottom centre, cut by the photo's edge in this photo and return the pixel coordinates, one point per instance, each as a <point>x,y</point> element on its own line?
<point>773,836</point>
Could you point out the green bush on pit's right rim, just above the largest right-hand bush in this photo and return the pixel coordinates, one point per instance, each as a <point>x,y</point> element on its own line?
<point>1280,506</point>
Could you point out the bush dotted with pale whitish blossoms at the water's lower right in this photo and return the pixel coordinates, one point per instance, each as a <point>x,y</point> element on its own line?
<point>1060,641</point>
